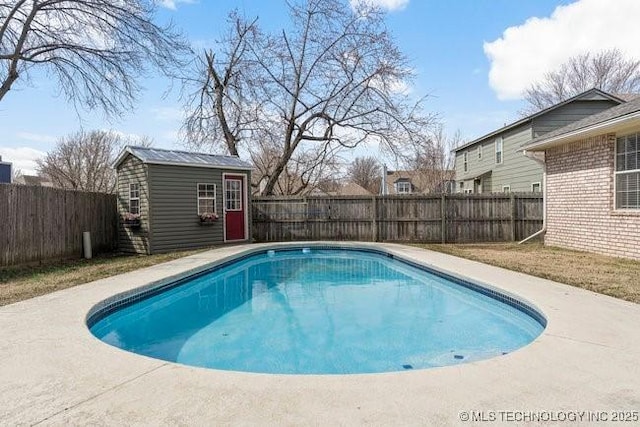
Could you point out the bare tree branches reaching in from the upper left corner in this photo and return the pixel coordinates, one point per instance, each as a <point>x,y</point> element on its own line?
<point>95,49</point>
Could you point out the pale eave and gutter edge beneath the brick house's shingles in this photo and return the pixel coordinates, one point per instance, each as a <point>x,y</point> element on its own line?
<point>617,125</point>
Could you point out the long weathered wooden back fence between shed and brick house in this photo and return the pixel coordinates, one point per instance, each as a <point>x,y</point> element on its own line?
<point>446,218</point>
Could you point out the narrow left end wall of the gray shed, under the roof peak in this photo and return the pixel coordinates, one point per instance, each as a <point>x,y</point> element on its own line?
<point>132,170</point>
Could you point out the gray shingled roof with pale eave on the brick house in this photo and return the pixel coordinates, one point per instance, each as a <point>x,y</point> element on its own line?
<point>614,119</point>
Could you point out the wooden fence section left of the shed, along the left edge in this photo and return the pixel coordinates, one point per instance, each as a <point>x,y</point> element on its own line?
<point>39,223</point>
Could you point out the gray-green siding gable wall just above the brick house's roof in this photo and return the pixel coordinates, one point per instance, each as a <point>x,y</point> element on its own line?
<point>569,113</point>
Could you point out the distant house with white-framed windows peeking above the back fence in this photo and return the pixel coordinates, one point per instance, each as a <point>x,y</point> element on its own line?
<point>417,182</point>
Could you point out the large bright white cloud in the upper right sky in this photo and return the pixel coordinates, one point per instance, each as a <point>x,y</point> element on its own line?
<point>526,52</point>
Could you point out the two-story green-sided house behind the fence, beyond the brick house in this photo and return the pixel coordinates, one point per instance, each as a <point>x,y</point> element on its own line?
<point>493,163</point>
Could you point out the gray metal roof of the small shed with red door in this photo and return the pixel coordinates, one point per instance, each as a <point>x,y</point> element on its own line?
<point>159,156</point>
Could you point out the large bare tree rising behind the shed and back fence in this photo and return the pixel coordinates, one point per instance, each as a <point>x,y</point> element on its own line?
<point>332,81</point>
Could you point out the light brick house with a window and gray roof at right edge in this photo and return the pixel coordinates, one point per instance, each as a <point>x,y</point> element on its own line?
<point>593,182</point>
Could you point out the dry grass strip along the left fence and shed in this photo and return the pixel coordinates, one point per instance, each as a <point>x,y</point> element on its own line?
<point>20,283</point>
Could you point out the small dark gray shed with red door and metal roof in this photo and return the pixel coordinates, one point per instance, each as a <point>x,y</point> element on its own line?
<point>170,200</point>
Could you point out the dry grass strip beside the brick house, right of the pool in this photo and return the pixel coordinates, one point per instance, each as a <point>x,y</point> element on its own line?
<point>616,277</point>
